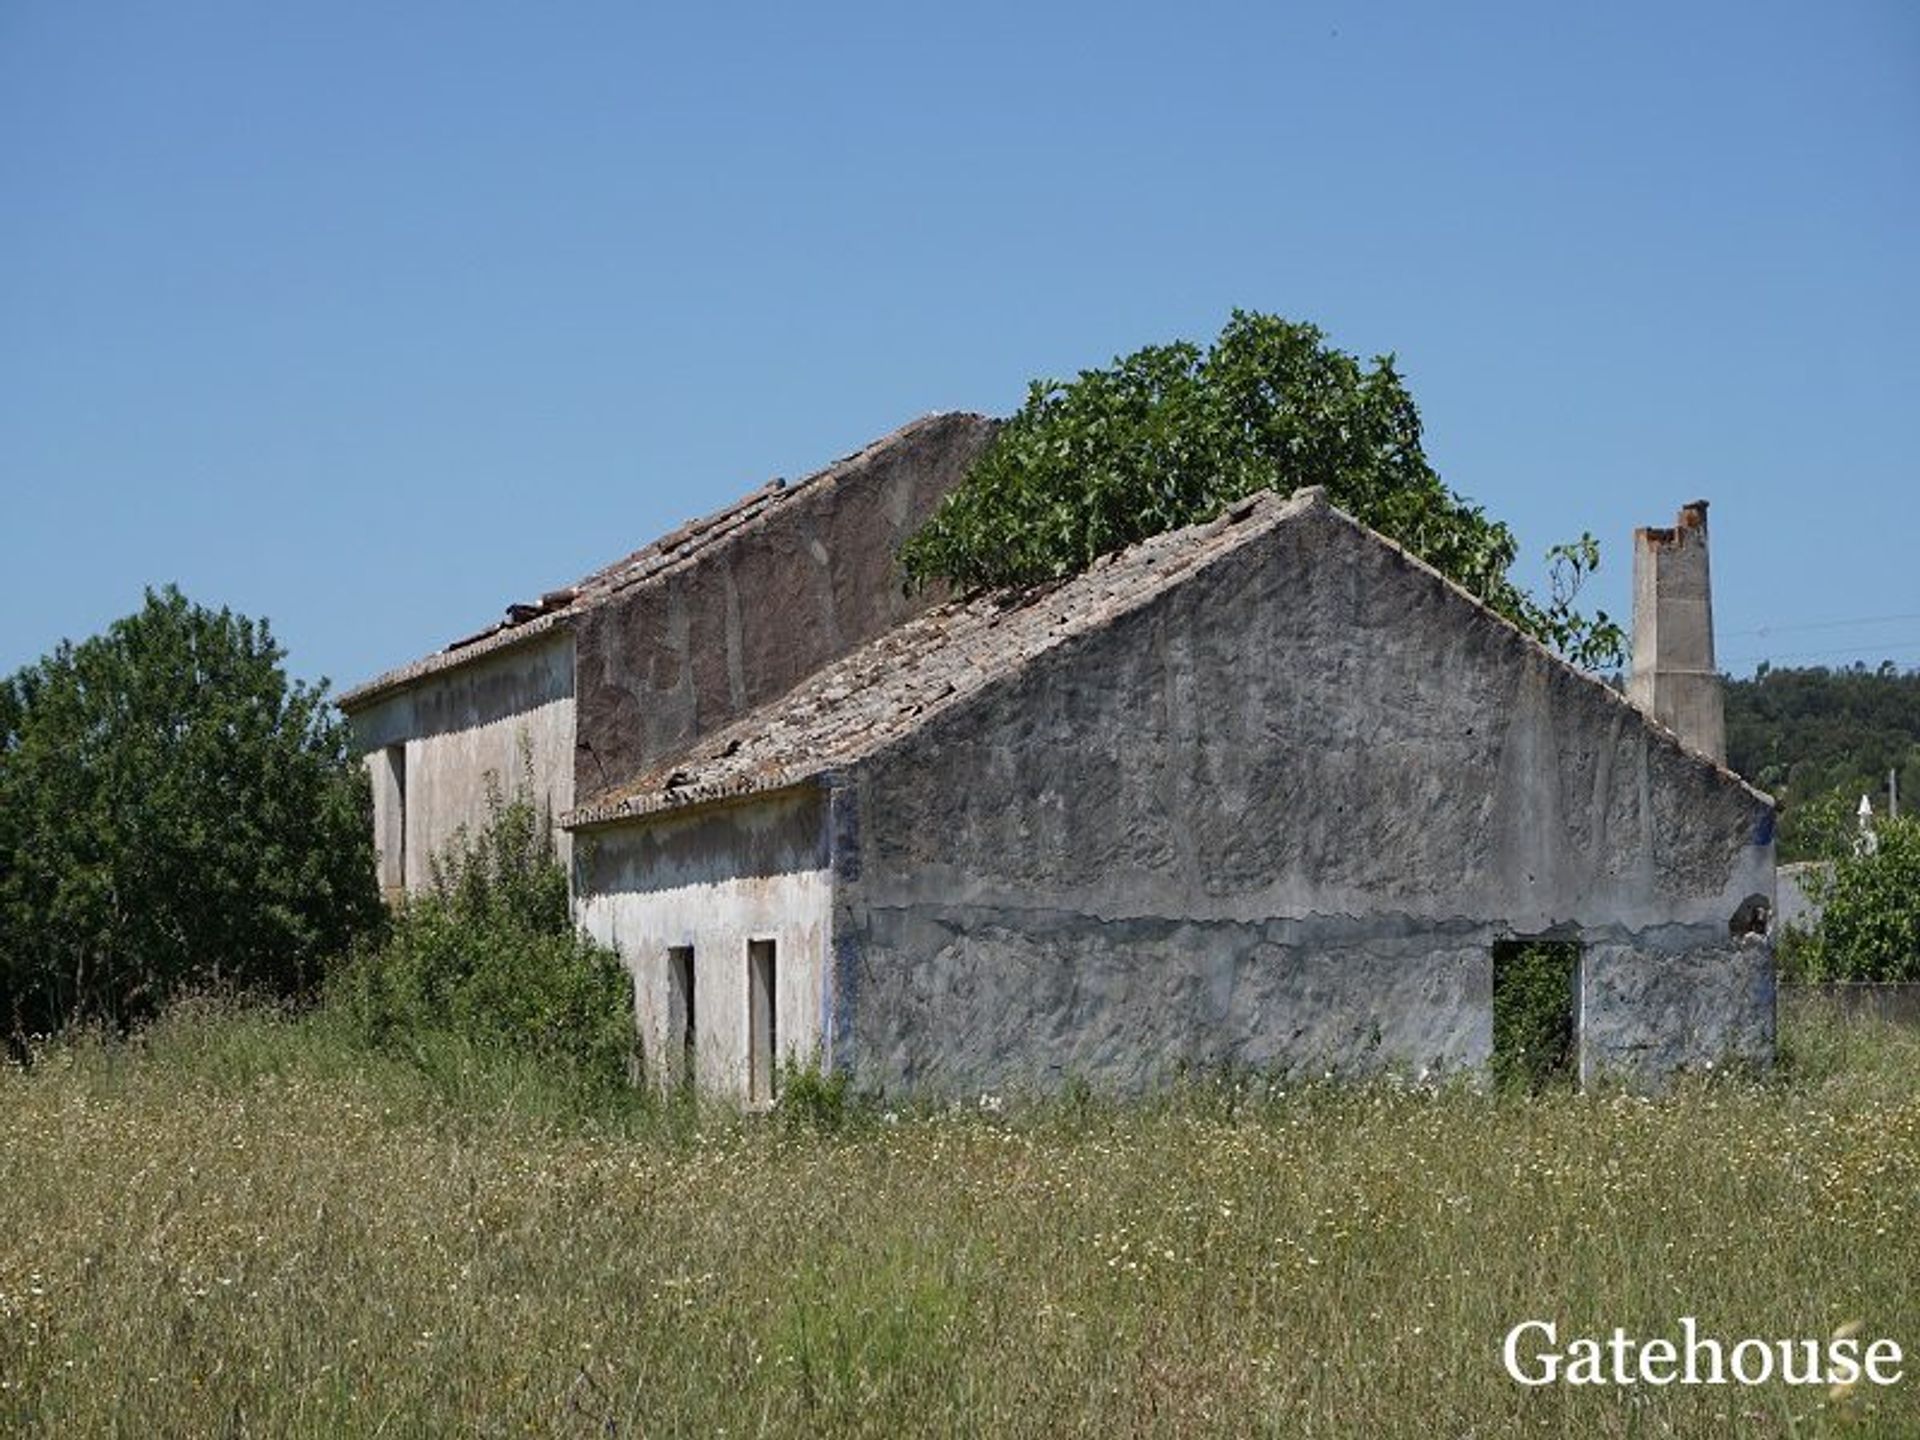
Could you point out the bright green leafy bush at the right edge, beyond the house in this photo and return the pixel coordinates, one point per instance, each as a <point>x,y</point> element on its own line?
<point>1869,911</point>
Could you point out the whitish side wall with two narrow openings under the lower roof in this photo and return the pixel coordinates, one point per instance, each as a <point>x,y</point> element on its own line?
<point>717,882</point>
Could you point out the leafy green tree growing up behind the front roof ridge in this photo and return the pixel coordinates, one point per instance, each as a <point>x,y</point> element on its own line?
<point>1172,433</point>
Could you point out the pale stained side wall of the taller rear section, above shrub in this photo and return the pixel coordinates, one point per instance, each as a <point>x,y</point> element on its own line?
<point>456,731</point>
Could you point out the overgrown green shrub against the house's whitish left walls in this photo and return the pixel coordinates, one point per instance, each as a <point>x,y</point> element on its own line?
<point>491,955</point>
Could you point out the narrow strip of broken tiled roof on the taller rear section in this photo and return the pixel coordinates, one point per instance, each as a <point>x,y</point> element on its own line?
<point>558,608</point>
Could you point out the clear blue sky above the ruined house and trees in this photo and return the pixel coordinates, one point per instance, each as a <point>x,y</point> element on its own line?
<point>375,318</point>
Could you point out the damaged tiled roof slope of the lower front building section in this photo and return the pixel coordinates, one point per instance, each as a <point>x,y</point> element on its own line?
<point>928,665</point>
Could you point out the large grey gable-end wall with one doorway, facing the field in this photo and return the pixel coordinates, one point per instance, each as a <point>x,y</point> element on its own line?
<point>1282,817</point>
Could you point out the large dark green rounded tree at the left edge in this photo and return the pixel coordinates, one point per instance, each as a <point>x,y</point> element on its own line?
<point>174,813</point>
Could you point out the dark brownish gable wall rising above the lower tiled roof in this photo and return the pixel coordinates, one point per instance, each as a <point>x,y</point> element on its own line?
<point>744,623</point>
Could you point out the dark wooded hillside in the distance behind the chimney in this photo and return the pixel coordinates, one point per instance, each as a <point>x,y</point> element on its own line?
<point>1808,734</point>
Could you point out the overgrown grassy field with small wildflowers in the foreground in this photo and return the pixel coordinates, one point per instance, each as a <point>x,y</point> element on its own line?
<point>245,1226</point>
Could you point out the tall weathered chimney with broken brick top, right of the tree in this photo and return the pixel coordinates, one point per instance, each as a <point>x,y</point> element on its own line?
<point>1673,677</point>
